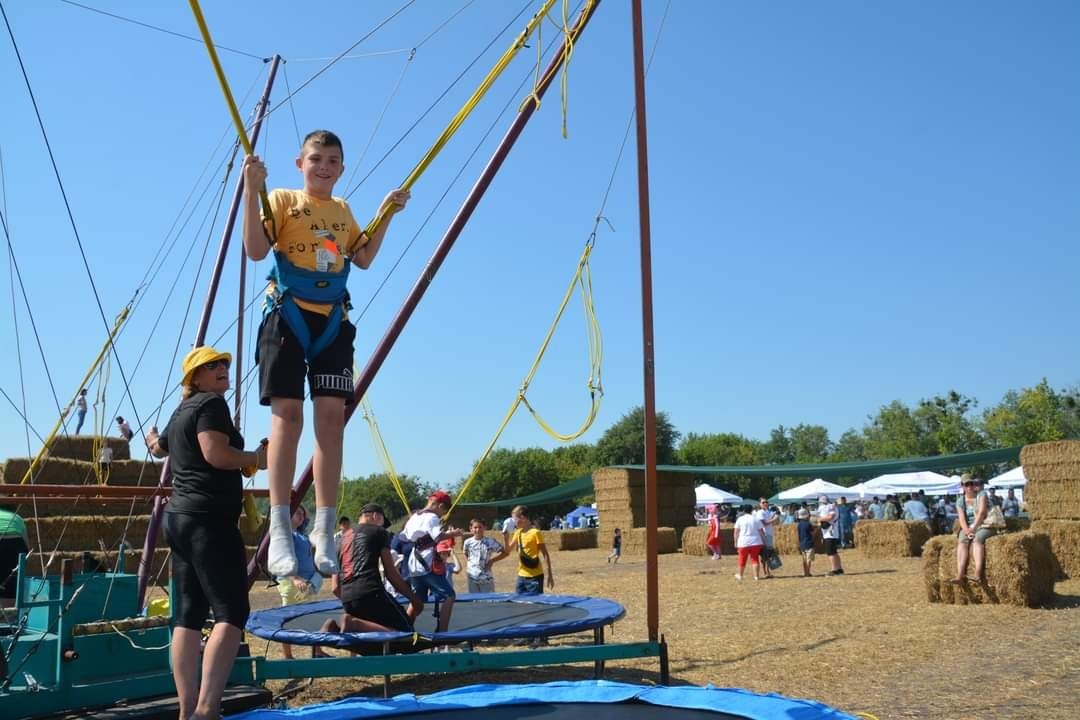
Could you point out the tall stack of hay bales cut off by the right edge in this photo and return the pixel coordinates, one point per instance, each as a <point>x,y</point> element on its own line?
<point>1052,496</point>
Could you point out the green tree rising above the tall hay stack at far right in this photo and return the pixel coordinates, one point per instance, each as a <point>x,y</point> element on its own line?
<point>1033,415</point>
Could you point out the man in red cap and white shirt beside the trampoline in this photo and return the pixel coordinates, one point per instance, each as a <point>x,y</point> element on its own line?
<point>427,570</point>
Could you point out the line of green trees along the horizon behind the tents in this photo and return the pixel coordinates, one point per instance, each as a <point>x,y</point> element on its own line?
<point>942,425</point>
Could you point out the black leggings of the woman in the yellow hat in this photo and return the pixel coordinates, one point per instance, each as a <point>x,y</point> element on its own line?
<point>210,570</point>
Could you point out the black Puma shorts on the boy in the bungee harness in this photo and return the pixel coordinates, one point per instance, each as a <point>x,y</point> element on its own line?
<point>282,365</point>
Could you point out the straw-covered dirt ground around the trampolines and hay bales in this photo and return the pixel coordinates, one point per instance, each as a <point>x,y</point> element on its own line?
<point>868,642</point>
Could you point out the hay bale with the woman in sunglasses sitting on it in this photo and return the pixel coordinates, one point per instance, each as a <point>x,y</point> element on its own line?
<point>1020,572</point>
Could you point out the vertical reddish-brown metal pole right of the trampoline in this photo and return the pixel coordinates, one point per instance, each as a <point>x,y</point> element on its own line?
<point>652,581</point>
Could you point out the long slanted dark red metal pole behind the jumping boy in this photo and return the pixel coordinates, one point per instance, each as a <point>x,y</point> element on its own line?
<point>383,350</point>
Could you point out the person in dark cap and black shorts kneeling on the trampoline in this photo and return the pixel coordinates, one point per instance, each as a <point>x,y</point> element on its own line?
<point>369,608</point>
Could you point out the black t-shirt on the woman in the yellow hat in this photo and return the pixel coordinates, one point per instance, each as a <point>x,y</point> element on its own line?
<point>199,487</point>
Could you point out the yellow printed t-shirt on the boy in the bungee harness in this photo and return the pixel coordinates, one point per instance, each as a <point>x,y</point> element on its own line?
<point>315,235</point>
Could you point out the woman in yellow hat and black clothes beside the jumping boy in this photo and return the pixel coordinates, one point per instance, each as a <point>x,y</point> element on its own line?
<point>207,455</point>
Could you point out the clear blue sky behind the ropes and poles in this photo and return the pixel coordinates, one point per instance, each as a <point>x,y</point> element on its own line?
<point>853,203</point>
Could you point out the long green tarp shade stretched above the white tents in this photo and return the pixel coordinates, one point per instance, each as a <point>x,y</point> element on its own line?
<point>867,469</point>
